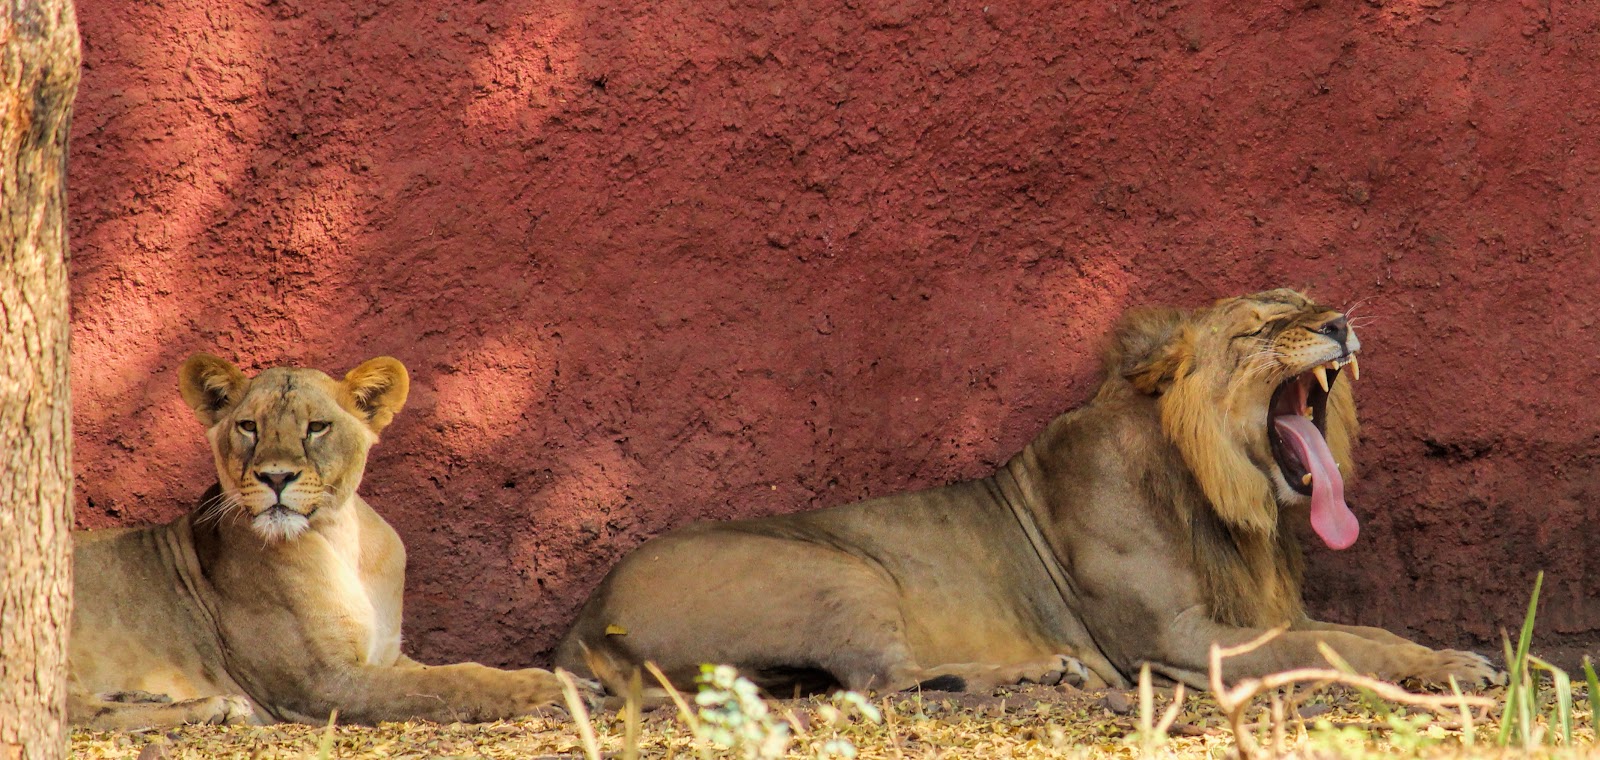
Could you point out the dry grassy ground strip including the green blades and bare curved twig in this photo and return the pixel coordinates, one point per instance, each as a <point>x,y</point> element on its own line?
<point>1308,714</point>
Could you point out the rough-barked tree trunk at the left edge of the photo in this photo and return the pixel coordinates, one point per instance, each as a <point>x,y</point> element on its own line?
<point>39,78</point>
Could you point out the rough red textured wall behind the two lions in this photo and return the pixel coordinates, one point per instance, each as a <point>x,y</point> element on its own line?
<point>657,262</point>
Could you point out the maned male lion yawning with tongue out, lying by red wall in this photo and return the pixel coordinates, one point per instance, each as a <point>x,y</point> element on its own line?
<point>1143,527</point>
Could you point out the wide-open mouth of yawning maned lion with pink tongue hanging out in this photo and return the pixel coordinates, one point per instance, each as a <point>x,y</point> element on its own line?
<point>1297,430</point>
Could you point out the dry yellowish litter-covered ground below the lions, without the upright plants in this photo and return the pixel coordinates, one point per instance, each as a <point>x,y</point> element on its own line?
<point>1030,722</point>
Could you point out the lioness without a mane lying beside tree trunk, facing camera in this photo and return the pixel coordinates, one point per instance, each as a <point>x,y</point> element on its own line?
<point>279,596</point>
